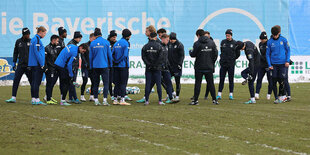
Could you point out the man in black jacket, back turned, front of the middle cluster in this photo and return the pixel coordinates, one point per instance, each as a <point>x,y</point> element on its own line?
<point>152,58</point>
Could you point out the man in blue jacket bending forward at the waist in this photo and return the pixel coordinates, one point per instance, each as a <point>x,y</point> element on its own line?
<point>64,66</point>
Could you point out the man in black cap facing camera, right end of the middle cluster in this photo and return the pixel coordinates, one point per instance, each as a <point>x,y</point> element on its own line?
<point>176,58</point>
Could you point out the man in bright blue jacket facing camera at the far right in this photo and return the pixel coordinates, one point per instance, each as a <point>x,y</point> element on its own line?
<point>278,58</point>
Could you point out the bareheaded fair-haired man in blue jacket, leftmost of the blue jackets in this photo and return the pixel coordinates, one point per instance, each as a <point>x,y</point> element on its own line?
<point>37,63</point>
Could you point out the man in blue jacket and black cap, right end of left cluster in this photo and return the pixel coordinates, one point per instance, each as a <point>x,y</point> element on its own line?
<point>121,67</point>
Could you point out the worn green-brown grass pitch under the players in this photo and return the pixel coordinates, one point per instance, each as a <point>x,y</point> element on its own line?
<point>228,128</point>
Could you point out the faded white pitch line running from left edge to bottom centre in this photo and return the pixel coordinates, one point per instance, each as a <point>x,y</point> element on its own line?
<point>108,132</point>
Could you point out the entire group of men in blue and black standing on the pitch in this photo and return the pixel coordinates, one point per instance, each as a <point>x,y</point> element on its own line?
<point>108,60</point>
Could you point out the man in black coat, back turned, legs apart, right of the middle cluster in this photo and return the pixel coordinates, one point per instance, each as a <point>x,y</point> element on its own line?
<point>205,54</point>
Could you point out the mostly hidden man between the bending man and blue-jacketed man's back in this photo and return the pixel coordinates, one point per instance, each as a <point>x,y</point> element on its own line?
<point>86,71</point>
